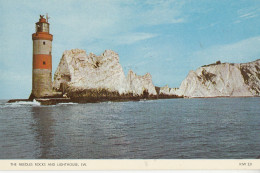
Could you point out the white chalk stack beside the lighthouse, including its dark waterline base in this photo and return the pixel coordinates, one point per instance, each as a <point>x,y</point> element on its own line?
<point>99,78</point>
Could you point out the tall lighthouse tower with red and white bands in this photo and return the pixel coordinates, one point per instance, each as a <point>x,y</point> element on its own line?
<point>42,59</point>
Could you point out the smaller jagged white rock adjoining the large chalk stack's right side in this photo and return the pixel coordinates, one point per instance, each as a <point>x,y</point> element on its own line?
<point>140,84</point>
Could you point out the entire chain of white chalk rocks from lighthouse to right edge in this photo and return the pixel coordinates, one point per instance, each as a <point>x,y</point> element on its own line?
<point>101,78</point>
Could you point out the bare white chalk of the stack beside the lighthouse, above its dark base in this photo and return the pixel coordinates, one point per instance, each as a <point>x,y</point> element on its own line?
<point>80,71</point>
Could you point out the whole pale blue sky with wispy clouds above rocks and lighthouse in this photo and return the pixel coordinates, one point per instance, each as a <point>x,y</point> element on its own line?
<point>165,38</point>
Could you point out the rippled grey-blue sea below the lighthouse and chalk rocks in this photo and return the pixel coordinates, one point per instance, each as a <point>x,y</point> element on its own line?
<point>198,128</point>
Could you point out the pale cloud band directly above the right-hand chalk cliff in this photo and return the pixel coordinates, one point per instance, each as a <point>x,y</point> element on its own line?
<point>242,51</point>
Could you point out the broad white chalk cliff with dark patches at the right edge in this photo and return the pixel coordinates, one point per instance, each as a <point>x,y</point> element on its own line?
<point>222,80</point>
